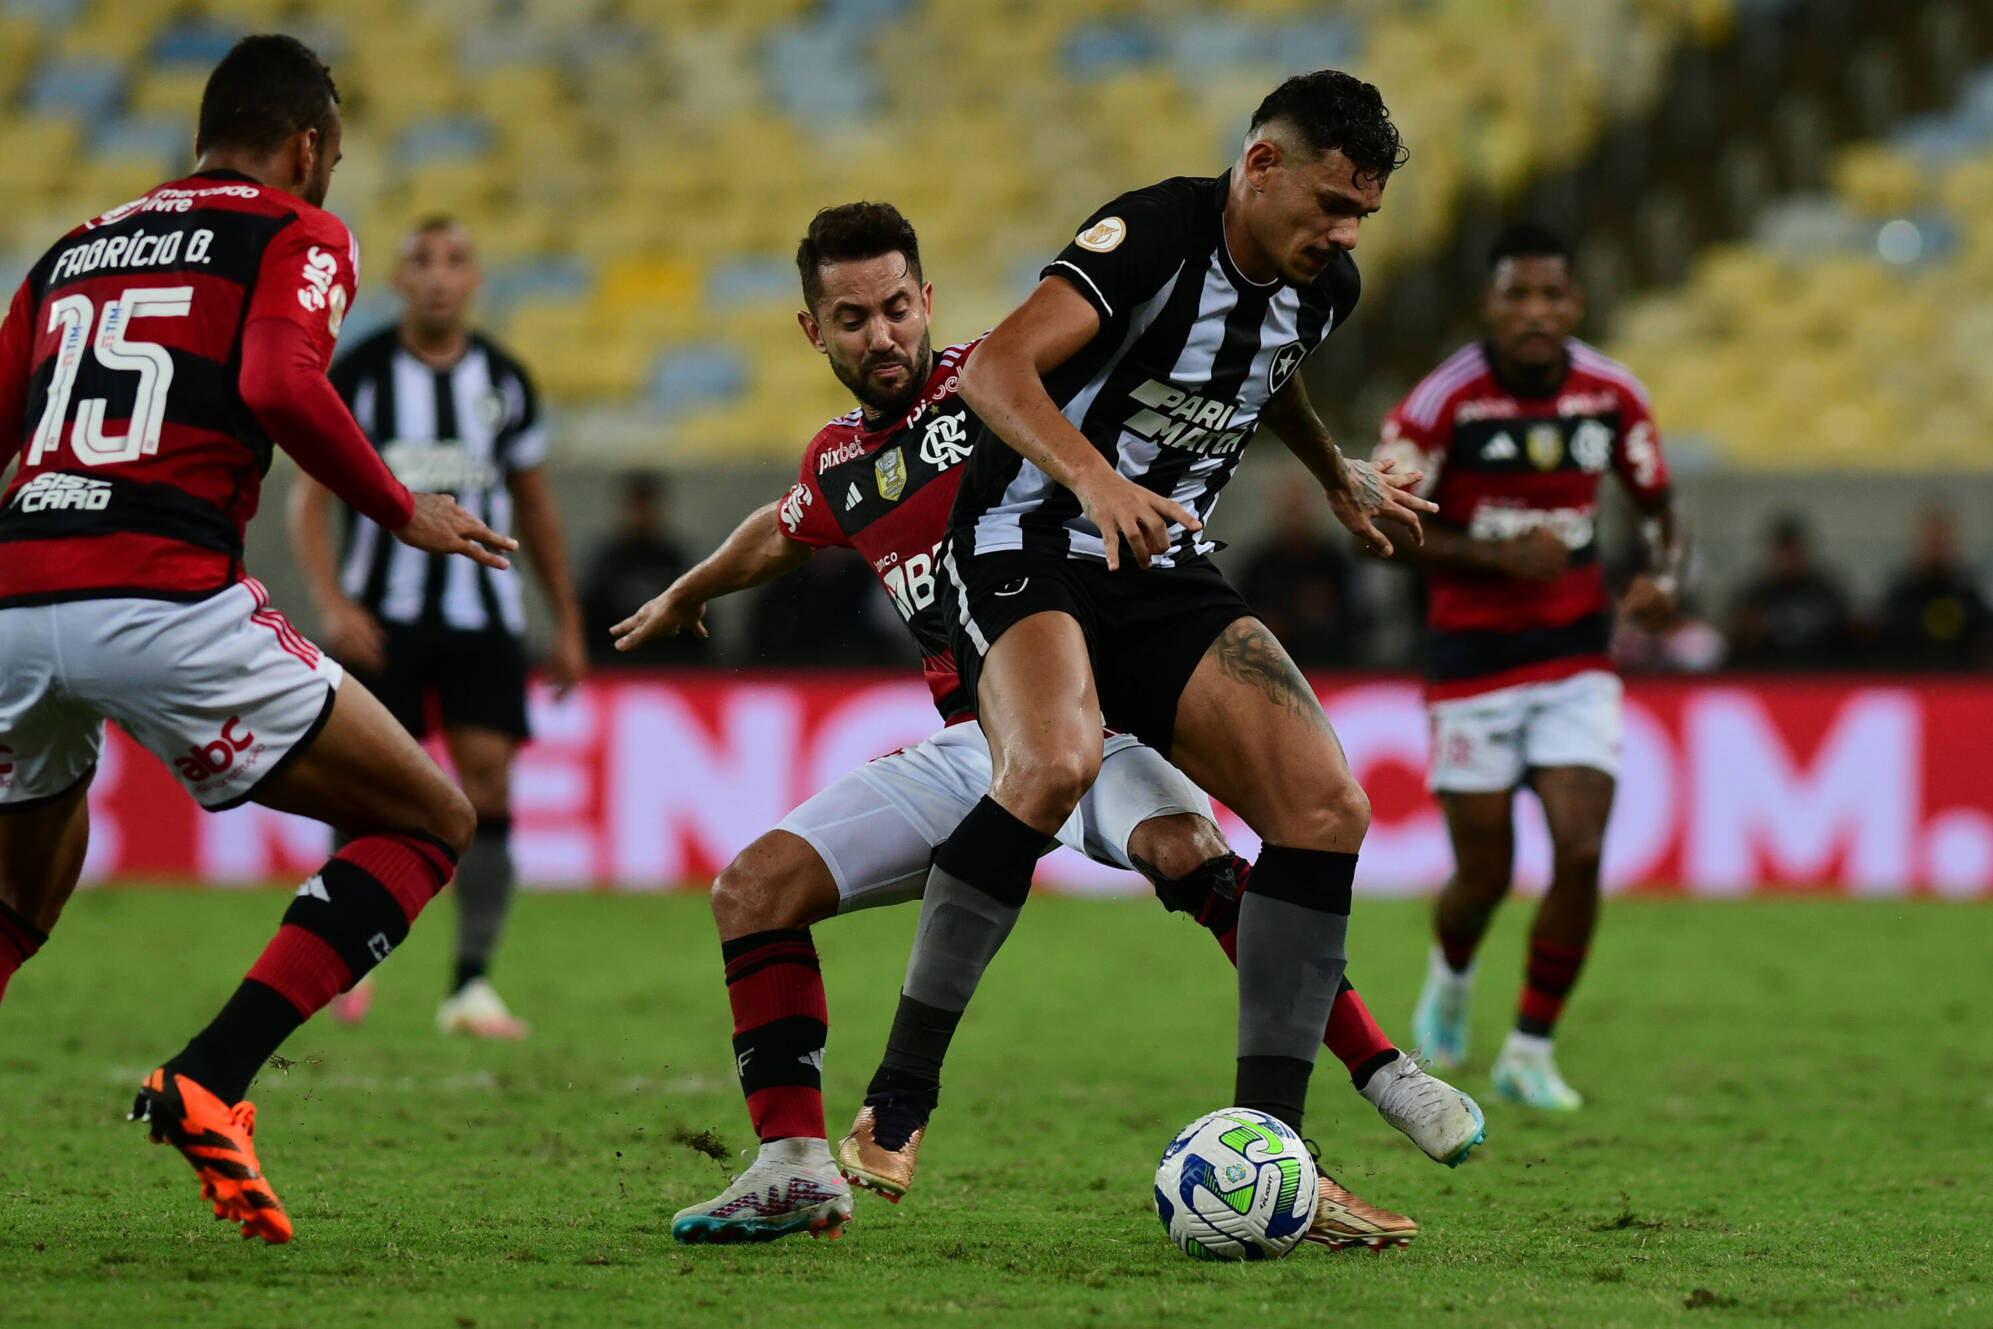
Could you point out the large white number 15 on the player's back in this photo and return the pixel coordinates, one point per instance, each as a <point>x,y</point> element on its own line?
<point>73,316</point>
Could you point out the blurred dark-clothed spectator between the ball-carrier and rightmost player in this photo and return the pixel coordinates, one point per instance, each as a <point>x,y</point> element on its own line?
<point>1298,583</point>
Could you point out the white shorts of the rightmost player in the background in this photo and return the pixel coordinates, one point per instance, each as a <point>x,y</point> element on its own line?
<point>1494,740</point>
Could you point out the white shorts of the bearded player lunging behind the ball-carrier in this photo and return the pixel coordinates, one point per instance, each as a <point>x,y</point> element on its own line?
<point>878,826</point>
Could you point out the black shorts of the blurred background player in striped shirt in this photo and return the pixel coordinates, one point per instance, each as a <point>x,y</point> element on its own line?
<point>477,678</point>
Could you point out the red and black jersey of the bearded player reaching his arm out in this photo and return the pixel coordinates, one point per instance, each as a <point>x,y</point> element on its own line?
<point>888,493</point>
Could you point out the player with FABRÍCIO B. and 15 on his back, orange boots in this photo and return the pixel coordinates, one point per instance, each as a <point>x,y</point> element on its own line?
<point>148,366</point>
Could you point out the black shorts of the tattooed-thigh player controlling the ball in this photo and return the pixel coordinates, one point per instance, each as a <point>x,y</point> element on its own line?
<point>1147,629</point>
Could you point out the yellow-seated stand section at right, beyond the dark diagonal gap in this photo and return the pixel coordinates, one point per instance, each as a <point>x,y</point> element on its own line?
<point>1854,328</point>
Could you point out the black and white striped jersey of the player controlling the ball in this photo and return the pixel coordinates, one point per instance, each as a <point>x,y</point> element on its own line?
<point>1173,386</point>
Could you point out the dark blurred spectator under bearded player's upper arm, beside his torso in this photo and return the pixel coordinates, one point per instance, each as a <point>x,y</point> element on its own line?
<point>828,613</point>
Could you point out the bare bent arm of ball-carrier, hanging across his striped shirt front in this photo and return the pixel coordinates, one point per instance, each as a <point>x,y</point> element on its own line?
<point>1003,384</point>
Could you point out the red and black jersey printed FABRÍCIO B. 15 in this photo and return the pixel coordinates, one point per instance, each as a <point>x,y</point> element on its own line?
<point>121,356</point>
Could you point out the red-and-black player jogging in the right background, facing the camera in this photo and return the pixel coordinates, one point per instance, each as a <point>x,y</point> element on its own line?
<point>1516,435</point>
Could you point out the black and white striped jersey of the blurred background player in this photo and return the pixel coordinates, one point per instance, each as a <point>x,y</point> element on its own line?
<point>443,431</point>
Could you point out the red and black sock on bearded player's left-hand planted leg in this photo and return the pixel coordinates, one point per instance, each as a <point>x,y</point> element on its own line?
<point>780,1025</point>
